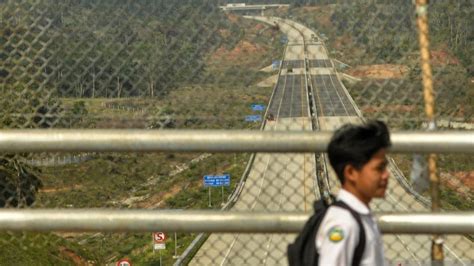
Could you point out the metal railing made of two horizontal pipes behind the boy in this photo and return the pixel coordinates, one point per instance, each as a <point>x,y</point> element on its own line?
<point>214,141</point>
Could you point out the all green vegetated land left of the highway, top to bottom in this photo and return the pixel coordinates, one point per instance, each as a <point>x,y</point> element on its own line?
<point>118,64</point>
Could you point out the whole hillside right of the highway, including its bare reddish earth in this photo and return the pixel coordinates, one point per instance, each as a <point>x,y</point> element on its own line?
<point>379,43</point>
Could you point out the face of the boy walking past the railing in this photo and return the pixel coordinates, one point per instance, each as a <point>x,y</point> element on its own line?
<point>372,178</point>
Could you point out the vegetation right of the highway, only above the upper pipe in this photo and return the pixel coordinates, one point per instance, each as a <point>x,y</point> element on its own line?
<point>368,33</point>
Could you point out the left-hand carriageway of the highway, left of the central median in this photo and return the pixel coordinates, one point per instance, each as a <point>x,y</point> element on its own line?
<point>276,182</point>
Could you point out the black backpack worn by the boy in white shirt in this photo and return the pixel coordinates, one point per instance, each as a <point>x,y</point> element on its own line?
<point>303,251</point>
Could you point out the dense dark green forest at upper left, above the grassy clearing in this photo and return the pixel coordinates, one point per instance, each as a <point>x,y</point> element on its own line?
<point>110,48</point>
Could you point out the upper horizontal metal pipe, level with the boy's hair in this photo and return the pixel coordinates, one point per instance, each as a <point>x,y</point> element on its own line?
<point>117,140</point>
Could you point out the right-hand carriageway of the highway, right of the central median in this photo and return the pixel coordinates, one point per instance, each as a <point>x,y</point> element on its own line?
<point>335,107</point>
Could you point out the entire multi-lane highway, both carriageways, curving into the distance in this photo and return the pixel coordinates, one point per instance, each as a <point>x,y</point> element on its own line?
<point>310,96</point>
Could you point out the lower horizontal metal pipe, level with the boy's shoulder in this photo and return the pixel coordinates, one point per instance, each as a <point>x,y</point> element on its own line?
<point>107,220</point>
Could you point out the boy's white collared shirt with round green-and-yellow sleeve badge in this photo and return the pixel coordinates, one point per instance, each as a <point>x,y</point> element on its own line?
<point>338,234</point>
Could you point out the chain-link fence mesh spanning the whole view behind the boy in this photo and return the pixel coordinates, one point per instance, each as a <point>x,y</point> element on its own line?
<point>311,65</point>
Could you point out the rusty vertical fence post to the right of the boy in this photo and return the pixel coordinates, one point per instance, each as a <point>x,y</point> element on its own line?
<point>437,255</point>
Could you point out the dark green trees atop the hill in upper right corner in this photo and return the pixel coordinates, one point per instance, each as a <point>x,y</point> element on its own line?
<point>389,31</point>
